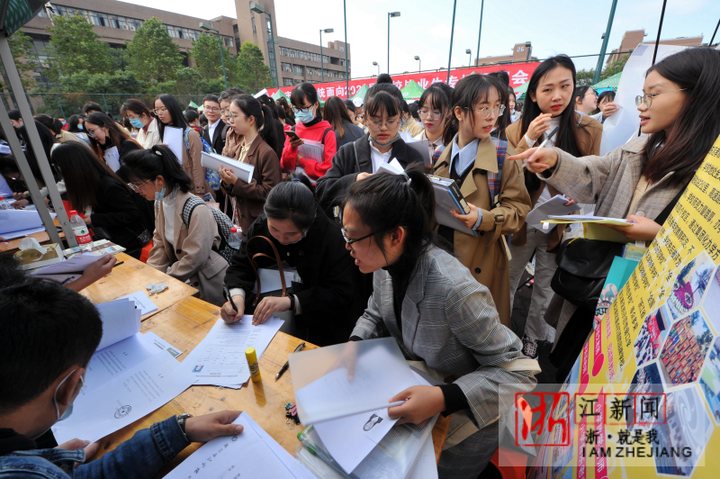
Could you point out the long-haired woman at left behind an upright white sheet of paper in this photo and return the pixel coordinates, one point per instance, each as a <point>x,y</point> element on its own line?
<point>169,113</point>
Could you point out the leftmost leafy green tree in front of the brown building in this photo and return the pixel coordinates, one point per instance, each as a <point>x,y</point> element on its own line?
<point>74,47</point>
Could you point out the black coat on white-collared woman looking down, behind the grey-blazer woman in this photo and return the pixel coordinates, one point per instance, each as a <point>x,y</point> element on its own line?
<point>346,165</point>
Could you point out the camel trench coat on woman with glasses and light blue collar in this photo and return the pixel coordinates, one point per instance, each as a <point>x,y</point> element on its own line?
<point>485,255</point>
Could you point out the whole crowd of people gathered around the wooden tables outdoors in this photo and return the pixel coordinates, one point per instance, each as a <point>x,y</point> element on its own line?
<point>368,256</point>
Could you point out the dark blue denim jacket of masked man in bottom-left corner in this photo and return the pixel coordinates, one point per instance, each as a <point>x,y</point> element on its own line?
<point>140,457</point>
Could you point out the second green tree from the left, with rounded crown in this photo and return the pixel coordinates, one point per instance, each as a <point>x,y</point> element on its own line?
<point>152,55</point>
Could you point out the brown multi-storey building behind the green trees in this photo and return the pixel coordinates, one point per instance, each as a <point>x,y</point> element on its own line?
<point>290,61</point>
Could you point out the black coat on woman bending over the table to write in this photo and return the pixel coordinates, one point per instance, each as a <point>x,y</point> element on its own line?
<point>326,270</point>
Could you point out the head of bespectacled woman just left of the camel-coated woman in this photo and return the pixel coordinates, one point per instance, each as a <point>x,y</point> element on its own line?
<point>433,110</point>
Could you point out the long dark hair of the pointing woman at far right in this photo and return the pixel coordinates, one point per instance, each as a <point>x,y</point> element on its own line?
<point>683,147</point>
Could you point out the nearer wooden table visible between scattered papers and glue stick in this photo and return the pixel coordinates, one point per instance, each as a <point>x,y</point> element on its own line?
<point>184,325</point>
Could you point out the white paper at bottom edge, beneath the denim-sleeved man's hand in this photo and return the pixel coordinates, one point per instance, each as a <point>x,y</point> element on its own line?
<point>249,454</point>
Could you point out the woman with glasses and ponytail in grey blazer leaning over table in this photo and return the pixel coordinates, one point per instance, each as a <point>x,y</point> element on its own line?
<point>441,317</point>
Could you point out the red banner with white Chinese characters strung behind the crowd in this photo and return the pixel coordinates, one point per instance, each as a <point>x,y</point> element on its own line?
<point>519,74</point>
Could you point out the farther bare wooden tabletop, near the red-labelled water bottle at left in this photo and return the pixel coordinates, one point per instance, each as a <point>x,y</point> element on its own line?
<point>133,276</point>
